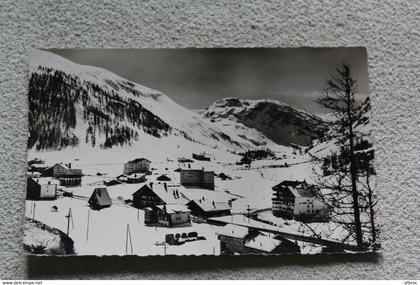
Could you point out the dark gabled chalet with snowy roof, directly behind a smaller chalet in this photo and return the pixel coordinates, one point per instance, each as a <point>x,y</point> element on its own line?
<point>158,194</point>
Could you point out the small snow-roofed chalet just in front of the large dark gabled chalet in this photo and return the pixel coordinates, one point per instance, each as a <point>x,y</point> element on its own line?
<point>167,215</point>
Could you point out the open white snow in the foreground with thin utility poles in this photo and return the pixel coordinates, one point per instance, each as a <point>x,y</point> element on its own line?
<point>107,230</point>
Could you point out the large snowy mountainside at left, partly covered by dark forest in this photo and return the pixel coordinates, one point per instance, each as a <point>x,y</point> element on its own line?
<point>73,105</point>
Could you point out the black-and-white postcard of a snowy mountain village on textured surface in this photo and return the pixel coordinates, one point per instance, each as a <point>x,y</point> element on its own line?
<point>200,151</point>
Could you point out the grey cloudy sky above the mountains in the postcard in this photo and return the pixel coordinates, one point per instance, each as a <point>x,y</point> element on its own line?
<point>196,78</point>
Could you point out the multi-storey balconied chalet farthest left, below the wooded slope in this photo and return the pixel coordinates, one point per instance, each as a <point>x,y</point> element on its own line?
<point>68,177</point>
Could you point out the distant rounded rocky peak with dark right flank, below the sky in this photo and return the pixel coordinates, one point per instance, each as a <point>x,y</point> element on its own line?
<point>275,120</point>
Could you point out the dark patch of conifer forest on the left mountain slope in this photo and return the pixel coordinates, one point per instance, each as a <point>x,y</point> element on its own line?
<point>54,97</point>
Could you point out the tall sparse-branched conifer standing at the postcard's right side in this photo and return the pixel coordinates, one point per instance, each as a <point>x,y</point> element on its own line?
<point>339,97</point>
